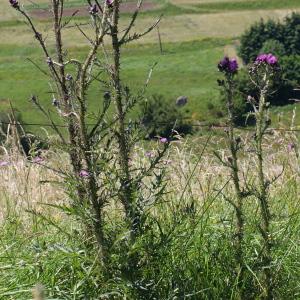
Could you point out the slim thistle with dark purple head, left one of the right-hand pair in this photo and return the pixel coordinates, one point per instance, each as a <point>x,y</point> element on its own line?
<point>229,67</point>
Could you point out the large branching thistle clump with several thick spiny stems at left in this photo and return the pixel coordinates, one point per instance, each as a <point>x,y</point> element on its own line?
<point>101,153</point>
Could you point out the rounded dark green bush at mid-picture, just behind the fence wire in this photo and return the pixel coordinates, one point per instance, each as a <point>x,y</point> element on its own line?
<point>161,117</point>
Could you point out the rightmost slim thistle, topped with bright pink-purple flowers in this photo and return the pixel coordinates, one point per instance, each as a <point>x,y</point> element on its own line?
<point>264,69</point>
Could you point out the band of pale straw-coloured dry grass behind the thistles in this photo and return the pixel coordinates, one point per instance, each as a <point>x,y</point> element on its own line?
<point>26,184</point>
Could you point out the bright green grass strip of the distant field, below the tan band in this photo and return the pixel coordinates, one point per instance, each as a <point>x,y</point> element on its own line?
<point>184,69</point>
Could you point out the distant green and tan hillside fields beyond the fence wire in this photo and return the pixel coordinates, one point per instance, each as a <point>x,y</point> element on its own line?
<point>195,35</point>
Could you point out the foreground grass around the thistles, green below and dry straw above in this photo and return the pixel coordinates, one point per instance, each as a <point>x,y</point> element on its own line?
<point>197,241</point>
